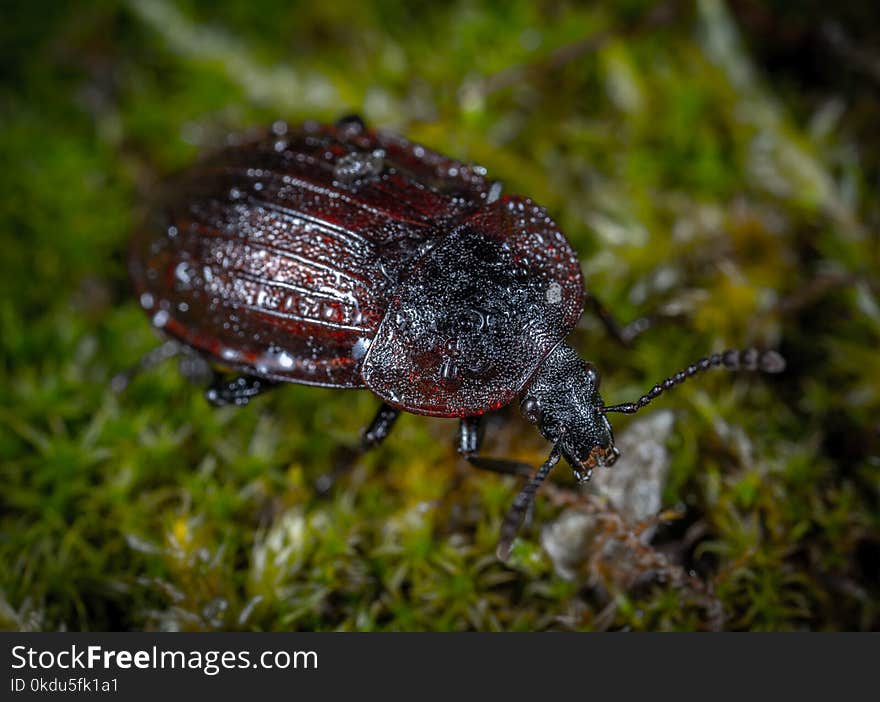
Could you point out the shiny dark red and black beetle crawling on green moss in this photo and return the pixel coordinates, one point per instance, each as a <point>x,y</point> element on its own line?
<point>344,257</point>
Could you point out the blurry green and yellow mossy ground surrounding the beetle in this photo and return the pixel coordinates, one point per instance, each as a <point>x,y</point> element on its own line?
<point>740,201</point>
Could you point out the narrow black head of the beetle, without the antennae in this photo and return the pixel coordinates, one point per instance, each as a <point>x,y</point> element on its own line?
<point>563,400</point>
